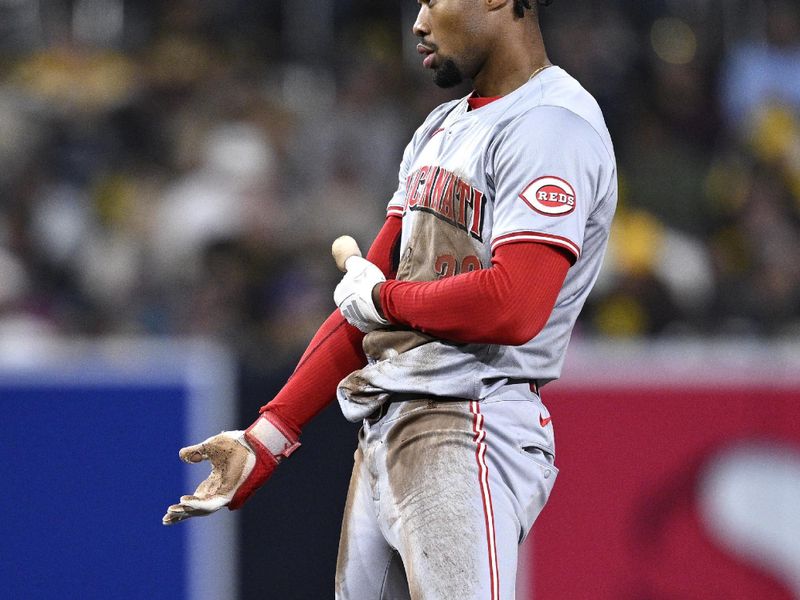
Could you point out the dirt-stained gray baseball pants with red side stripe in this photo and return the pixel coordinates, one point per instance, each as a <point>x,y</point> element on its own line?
<point>442,494</point>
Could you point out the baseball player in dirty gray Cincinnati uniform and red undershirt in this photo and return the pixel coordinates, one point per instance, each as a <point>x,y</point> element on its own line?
<point>447,330</point>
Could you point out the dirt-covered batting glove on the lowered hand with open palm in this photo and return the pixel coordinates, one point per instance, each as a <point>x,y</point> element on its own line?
<point>241,461</point>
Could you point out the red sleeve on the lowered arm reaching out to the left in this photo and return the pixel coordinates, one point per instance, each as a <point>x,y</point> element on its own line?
<point>334,352</point>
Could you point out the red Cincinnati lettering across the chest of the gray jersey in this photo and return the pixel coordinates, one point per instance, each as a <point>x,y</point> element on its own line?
<point>445,195</point>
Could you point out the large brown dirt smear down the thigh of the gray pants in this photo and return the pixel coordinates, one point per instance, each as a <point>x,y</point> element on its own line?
<point>430,459</point>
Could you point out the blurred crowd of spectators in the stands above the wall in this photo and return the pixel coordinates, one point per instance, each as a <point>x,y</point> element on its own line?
<point>181,167</point>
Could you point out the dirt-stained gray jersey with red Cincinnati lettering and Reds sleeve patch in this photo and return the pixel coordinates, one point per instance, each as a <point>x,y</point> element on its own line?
<point>536,165</point>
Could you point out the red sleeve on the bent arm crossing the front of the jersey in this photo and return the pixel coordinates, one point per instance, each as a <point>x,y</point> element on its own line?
<point>508,303</point>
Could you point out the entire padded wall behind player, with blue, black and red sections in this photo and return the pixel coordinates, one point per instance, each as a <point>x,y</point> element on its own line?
<point>679,477</point>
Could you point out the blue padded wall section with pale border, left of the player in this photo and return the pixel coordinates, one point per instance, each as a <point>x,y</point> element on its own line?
<point>89,439</point>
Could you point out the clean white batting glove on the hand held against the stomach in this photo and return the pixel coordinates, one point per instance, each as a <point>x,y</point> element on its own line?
<point>353,295</point>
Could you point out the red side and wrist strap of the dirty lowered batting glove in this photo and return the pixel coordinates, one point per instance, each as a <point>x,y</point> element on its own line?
<point>271,442</point>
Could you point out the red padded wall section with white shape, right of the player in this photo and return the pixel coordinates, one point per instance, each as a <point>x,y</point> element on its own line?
<point>679,475</point>
